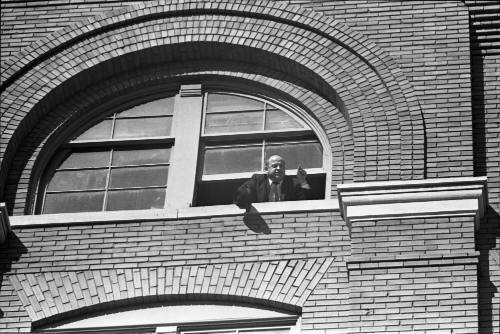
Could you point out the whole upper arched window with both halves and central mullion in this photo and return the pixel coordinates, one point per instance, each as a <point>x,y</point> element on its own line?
<point>178,150</point>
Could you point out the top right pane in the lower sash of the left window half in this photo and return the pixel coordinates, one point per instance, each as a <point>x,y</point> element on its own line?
<point>141,157</point>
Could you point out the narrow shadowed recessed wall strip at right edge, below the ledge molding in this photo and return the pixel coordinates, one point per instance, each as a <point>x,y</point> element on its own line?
<point>487,236</point>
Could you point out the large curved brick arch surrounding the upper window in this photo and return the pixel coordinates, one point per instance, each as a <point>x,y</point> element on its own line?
<point>368,87</point>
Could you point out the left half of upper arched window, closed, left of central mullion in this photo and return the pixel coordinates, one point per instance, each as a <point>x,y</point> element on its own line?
<point>120,163</point>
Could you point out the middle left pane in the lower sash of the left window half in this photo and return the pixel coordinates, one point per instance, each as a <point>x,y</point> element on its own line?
<point>78,180</point>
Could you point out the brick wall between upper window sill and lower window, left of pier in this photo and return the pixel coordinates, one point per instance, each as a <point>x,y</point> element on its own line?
<point>302,244</point>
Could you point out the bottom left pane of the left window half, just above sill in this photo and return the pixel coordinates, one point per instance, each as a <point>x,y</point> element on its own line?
<point>73,202</point>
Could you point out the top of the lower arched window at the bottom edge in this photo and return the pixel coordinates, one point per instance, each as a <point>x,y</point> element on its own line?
<point>192,318</point>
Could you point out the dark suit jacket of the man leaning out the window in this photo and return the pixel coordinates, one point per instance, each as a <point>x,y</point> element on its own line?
<point>256,190</point>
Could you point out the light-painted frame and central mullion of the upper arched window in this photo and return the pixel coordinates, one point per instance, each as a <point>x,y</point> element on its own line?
<point>188,122</point>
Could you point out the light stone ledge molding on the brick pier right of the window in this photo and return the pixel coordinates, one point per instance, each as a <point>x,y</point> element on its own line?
<point>445,197</point>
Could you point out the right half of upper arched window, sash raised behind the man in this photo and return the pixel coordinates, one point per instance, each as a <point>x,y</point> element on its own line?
<point>240,132</point>
